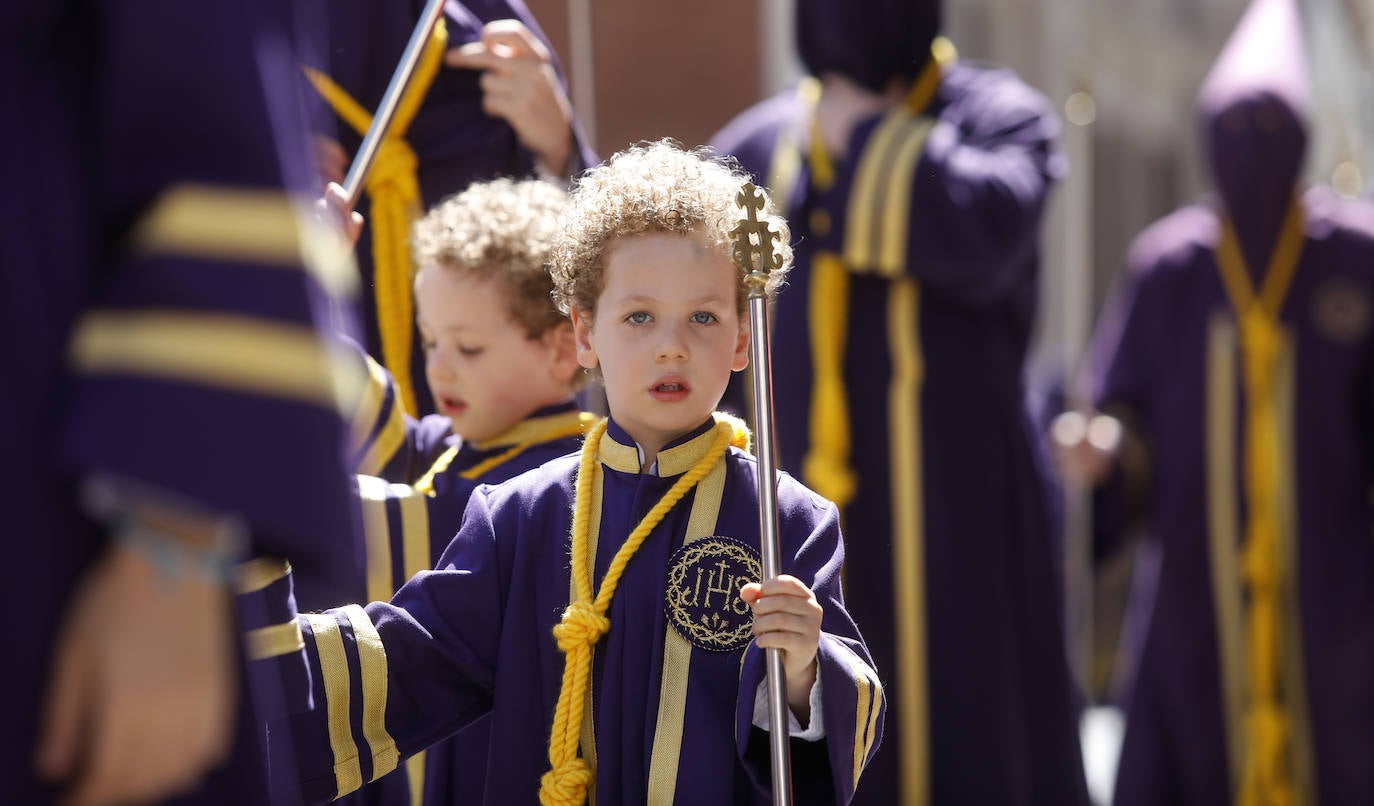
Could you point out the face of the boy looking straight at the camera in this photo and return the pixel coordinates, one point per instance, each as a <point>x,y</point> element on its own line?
<point>666,334</point>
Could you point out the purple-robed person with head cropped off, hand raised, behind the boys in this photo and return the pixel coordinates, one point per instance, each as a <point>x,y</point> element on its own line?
<point>488,101</point>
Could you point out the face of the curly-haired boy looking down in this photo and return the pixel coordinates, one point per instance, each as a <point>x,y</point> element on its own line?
<point>484,373</point>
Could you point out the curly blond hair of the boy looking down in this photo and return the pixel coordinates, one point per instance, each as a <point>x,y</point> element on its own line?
<point>499,230</point>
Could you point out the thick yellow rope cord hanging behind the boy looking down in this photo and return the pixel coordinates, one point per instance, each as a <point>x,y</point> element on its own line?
<point>396,203</point>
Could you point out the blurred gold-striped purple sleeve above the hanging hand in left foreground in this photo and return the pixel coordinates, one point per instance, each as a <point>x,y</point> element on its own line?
<point>204,367</point>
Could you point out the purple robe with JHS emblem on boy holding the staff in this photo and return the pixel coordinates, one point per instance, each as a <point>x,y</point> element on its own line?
<point>475,638</point>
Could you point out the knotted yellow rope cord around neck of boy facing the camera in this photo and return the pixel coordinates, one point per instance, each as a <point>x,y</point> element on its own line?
<point>585,621</point>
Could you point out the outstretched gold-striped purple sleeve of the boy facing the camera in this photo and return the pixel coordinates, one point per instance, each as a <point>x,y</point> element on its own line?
<point>392,679</point>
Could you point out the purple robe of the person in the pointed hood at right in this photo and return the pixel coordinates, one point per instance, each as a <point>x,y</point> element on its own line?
<point>1167,359</point>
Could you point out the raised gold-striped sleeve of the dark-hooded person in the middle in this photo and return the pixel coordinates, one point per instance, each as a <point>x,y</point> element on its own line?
<point>956,201</point>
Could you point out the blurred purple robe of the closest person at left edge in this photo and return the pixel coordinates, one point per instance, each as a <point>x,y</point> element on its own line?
<point>128,117</point>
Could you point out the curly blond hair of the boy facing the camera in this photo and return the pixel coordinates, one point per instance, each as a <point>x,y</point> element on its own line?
<point>651,187</point>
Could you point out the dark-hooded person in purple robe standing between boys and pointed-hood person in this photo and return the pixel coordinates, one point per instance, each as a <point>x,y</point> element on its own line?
<point>914,185</point>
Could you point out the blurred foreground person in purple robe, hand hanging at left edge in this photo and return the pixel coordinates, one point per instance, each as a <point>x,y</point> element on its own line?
<point>174,406</point>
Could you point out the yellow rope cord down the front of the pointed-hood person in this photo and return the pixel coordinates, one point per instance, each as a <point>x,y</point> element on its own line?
<point>1268,778</point>
